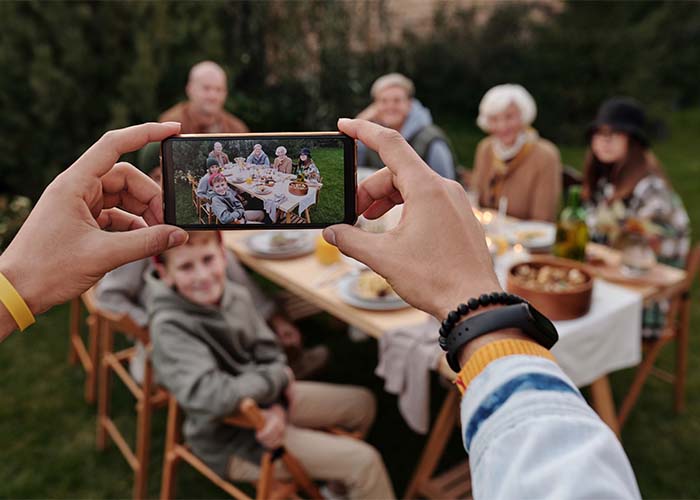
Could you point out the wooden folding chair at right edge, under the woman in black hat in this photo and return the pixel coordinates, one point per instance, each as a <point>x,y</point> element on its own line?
<point>676,329</point>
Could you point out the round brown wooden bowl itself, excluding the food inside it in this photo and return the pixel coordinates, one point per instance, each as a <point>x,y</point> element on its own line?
<point>571,303</point>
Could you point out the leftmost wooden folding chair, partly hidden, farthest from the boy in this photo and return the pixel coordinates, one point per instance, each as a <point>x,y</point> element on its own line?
<point>85,351</point>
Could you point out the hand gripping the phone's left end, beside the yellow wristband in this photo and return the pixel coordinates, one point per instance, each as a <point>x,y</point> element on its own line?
<point>92,218</point>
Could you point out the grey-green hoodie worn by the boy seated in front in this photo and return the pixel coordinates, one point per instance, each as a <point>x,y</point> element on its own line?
<point>210,358</point>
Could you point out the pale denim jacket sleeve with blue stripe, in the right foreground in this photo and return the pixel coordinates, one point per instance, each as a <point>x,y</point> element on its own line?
<point>530,434</point>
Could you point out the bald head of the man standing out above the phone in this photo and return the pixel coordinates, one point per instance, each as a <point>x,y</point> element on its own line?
<point>206,88</point>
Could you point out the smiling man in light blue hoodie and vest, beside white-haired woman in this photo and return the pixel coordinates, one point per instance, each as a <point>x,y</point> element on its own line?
<point>395,107</point>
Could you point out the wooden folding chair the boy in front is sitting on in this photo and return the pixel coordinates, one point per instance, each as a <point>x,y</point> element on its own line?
<point>267,486</point>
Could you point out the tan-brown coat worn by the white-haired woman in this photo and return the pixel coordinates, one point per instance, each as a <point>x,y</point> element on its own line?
<point>532,183</point>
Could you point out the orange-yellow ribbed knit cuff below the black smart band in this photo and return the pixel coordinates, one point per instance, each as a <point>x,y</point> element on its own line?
<point>493,351</point>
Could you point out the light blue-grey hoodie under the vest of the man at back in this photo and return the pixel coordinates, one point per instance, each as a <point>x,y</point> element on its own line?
<point>439,156</point>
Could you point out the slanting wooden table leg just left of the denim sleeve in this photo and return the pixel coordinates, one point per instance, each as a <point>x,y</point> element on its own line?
<point>441,432</point>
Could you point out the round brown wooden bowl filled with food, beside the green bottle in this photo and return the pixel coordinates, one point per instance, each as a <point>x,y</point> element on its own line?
<point>558,289</point>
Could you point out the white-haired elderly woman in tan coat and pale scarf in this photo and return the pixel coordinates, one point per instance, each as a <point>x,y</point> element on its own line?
<point>514,161</point>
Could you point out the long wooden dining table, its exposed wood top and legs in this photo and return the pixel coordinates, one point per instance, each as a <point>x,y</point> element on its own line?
<point>316,283</point>
